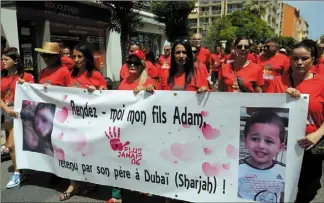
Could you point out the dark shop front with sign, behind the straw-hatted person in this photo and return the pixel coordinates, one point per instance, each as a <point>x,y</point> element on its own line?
<point>68,23</point>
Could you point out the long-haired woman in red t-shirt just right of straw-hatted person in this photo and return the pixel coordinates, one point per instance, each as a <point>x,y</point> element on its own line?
<point>84,74</point>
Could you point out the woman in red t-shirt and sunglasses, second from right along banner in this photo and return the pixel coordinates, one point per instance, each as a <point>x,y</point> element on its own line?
<point>241,75</point>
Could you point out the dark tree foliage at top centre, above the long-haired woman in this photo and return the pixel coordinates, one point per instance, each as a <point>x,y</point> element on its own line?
<point>174,14</point>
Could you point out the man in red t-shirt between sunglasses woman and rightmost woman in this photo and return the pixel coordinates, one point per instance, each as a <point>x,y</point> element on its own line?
<point>273,63</point>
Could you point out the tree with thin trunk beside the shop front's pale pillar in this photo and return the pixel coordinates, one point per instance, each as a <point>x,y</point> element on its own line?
<point>125,20</point>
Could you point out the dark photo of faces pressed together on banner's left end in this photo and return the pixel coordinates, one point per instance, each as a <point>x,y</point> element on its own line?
<point>37,119</point>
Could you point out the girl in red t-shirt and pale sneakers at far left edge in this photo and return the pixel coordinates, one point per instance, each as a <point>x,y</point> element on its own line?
<point>13,72</point>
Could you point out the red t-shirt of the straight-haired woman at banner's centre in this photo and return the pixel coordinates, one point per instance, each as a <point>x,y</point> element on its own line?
<point>197,81</point>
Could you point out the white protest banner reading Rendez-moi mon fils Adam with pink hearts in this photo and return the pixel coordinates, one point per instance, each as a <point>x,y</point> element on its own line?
<point>213,147</point>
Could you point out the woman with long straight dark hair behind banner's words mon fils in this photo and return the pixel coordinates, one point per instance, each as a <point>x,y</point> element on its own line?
<point>182,75</point>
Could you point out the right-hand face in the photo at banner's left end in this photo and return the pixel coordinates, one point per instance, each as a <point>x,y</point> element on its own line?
<point>43,122</point>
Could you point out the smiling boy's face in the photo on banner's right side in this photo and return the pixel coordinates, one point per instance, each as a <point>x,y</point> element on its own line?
<point>263,142</point>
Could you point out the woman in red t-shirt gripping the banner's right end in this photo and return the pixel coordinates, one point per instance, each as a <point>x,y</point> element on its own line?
<point>300,80</point>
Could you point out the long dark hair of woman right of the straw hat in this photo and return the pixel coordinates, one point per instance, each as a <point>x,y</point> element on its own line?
<point>88,55</point>
